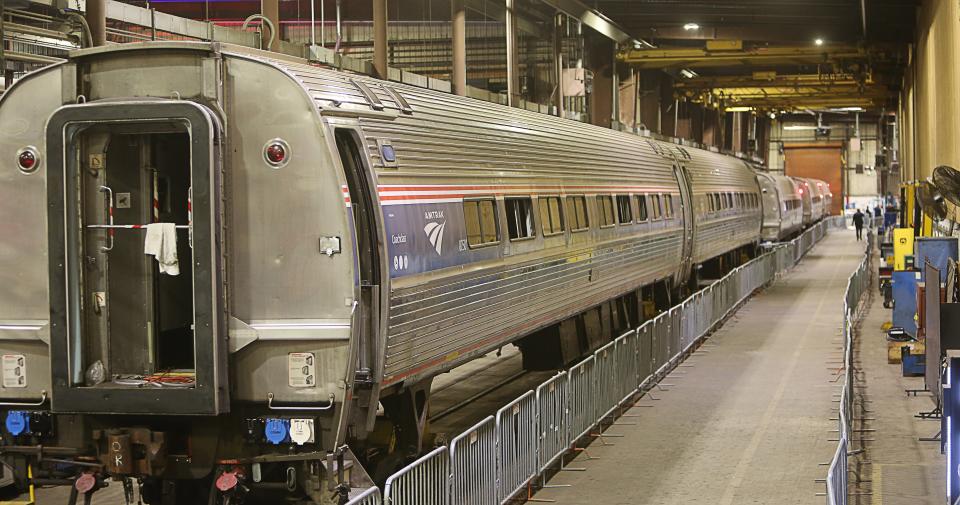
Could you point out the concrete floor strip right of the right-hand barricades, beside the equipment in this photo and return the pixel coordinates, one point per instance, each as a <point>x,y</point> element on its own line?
<point>902,470</point>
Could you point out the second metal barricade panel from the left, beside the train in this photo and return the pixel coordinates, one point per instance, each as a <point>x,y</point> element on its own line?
<point>423,482</point>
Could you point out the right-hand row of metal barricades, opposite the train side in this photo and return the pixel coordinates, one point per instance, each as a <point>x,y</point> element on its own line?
<point>857,285</point>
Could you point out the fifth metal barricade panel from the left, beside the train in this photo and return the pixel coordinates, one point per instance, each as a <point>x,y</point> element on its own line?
<point>552,420</point>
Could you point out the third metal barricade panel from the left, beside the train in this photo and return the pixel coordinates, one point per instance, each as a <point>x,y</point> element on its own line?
<point>473,465</point>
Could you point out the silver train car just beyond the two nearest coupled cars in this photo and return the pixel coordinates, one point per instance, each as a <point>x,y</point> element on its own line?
<point>782,207</point>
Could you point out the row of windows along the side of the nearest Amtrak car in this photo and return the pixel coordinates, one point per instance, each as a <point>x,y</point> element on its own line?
<point>480,215</point>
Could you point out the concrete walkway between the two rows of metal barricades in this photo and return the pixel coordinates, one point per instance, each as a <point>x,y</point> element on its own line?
<point>750,420</point>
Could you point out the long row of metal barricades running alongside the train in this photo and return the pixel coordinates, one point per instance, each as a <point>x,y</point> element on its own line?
<point>503,455</point>
